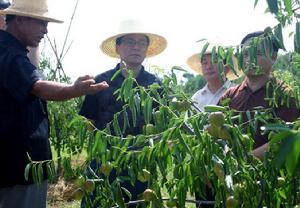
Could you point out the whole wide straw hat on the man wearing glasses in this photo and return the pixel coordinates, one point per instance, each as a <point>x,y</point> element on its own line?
<point>157,43</point>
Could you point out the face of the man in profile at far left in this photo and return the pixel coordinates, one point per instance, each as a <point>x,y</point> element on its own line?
<point>32,30</point>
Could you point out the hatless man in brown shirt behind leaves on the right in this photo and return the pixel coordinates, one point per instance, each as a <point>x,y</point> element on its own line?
<point>259,86</point>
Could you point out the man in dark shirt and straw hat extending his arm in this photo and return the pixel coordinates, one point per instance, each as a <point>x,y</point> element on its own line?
<point>24,128</point>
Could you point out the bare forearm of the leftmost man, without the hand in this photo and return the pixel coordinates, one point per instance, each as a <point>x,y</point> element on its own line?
<point>54,91</point>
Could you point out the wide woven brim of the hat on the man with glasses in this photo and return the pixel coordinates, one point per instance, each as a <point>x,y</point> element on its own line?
<point>157,44</point>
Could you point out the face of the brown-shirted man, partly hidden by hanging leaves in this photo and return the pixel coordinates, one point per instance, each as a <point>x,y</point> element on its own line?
<point>264,62</point>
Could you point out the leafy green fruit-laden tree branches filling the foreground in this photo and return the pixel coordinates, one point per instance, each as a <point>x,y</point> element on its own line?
<point>182,157</point>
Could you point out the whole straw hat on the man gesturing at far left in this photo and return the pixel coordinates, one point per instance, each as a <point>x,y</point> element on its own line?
<point>37,9</point>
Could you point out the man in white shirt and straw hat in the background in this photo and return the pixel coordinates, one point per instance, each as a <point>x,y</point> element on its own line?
<point>217,82</point>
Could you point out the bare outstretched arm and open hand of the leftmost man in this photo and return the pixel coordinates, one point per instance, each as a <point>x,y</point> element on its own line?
<point>56,91</point>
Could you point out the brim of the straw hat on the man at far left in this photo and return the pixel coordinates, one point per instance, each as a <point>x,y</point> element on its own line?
<point>45,16</point>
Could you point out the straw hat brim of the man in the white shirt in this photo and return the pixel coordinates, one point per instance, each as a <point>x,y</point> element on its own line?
<point>194,63</point>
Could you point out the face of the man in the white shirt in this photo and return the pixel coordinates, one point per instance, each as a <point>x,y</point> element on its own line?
<point>209,69</point>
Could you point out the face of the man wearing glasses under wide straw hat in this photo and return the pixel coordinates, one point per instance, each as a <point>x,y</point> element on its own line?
<point>133,49</point>
